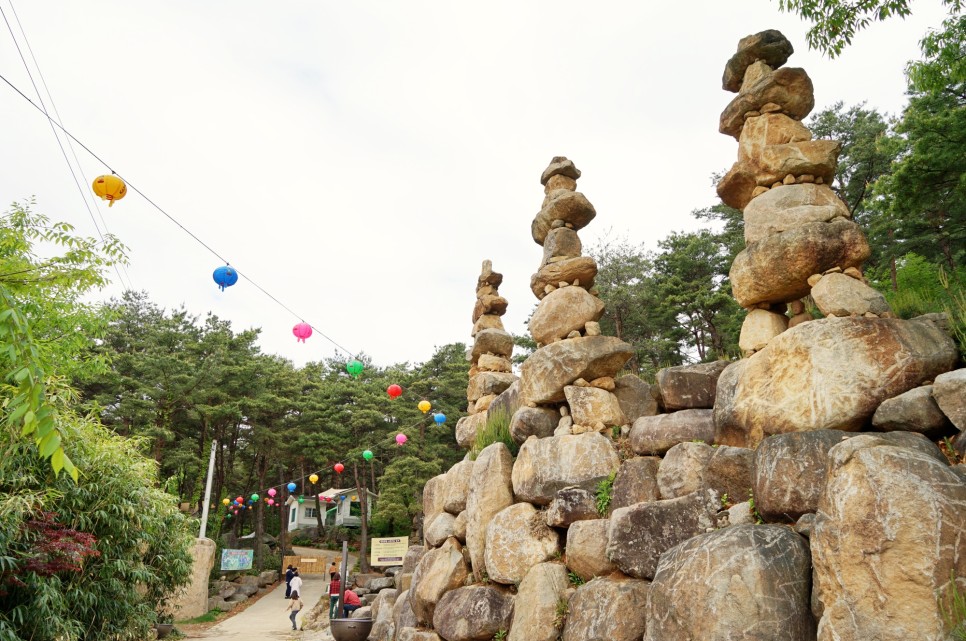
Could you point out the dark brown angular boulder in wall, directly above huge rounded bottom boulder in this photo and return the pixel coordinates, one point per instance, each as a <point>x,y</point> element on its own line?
<point>641,533</point>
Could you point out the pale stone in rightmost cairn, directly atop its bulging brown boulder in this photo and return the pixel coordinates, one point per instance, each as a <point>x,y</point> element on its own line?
<point>783,208</point>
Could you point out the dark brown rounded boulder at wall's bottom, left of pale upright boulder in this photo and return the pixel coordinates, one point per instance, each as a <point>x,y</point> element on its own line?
<point>473,613</point>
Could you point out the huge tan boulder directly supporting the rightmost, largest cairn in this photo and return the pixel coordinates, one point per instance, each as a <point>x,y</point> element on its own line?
<point>827,374</point>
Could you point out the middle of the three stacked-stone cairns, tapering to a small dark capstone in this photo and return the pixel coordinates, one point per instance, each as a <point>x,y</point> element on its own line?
<point>571,373</point>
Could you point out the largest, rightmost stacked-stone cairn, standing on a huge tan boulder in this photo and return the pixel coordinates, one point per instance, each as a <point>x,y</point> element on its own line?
<point>800,239</point>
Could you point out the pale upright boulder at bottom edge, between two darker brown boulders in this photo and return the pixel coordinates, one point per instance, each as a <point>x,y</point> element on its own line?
<point>535,605</point>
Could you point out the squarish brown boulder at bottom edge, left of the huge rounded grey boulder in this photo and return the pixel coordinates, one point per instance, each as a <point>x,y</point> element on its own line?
<point>610,608</point>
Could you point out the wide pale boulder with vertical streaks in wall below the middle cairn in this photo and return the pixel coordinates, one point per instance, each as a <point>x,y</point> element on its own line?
<point>547,465</point>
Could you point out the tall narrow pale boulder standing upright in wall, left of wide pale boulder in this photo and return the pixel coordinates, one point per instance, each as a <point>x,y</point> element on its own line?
<point>490,492</point>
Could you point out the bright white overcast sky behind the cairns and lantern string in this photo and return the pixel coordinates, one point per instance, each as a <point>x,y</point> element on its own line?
<point>360,159</point>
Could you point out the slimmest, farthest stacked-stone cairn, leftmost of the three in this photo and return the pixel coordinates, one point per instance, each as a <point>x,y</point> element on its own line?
<point>490,365</point>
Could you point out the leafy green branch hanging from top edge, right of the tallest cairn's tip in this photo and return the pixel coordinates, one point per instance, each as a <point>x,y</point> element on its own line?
<point>835,22</point>
